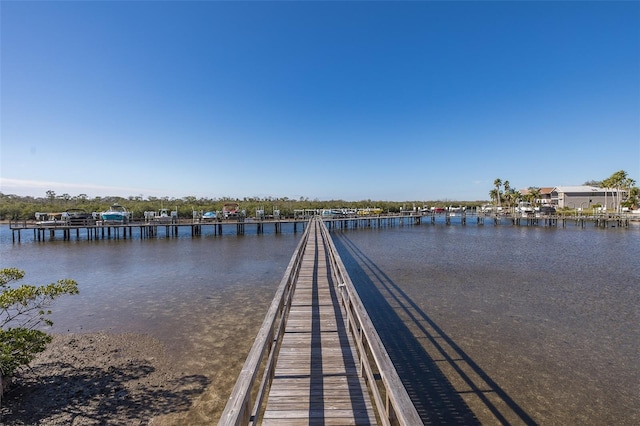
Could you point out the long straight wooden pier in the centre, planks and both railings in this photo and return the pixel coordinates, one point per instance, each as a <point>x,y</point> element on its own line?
<point>319,357</point>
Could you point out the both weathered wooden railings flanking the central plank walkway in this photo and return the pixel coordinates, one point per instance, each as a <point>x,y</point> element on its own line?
<point>391,399</point>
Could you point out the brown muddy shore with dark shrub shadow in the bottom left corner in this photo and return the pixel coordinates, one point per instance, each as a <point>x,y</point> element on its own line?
<point>101,378</point>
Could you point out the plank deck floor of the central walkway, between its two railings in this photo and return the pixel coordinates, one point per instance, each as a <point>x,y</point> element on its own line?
<point>316,379</point>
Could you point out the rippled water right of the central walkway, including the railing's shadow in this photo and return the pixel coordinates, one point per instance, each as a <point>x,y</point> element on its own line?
<point>505,324</point>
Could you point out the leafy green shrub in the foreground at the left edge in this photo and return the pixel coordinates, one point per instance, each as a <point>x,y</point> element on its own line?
<point>22,309</point>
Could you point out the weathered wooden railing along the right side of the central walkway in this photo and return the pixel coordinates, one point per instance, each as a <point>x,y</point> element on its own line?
<point>394,406</point>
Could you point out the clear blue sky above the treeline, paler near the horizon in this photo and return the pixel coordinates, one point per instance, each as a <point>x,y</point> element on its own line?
<point>326,100</point>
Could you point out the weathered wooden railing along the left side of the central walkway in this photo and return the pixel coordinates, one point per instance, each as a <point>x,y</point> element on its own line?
<point>239,409</point>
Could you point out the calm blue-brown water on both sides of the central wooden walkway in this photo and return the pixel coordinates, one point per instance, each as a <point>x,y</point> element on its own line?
<point>486,324</point>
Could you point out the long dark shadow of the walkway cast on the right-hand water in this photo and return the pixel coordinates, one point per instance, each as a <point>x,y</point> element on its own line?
<point>435,398</point>
